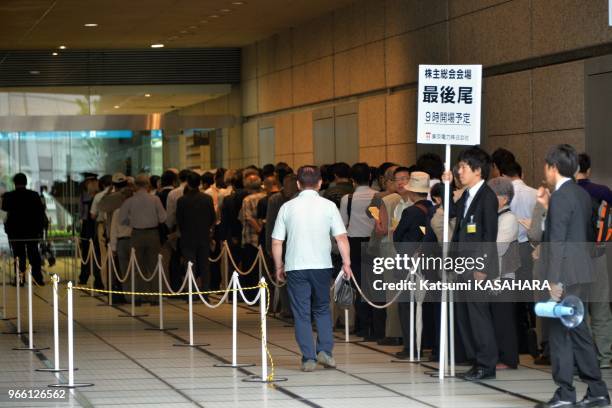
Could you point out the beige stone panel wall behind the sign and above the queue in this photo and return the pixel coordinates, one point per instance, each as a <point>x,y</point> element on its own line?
<point>369,53</point>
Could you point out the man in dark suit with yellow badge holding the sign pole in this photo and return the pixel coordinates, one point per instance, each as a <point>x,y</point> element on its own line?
<point>474,236</point>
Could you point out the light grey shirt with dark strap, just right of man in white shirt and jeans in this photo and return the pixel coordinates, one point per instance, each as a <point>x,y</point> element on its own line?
<point>359,225</point>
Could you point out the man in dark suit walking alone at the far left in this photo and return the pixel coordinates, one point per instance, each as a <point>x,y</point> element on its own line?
<point>24,225</point>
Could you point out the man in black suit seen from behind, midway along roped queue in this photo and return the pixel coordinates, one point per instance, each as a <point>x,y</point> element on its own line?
<point>195,217</point>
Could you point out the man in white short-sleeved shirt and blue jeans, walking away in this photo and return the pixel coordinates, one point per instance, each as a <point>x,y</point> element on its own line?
<point>306,222</point>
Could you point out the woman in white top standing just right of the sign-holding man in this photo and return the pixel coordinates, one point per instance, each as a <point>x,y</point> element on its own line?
<point>503,307</point>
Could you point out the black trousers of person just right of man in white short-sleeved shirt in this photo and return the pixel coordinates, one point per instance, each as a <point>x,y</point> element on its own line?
<point>364,313</point>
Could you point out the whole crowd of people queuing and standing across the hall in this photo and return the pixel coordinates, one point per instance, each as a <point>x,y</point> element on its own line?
<point>292,216</point>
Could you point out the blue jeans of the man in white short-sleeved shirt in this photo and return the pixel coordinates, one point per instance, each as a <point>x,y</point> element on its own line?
<point>309,296</point>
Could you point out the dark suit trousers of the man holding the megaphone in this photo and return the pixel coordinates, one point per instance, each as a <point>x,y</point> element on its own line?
<point>569,347</point>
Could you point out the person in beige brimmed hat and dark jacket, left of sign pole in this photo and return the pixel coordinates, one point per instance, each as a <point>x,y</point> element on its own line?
<point>413,228</point>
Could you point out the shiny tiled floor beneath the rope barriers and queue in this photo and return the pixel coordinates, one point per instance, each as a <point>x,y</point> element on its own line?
<point>133,367</point>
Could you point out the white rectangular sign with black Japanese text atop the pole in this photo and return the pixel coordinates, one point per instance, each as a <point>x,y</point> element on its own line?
<point>449,104</point>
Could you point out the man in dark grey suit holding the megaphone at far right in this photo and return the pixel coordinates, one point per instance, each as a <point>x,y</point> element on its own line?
<point>569,270</point>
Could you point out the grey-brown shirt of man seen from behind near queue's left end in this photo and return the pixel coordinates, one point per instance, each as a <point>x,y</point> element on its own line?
<point>142,211</point>
